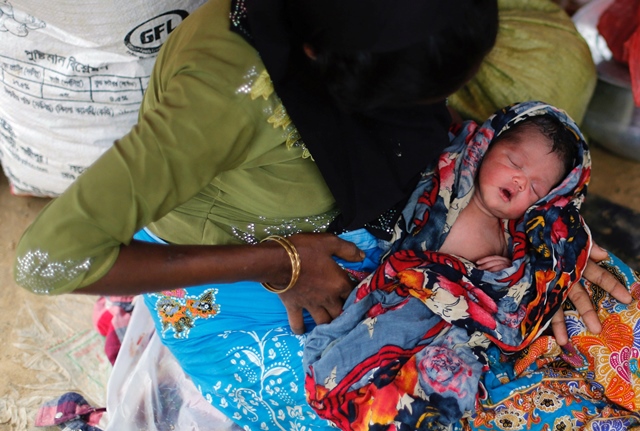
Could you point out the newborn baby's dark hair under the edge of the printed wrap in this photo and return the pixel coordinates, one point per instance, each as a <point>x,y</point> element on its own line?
<point>564,140</point>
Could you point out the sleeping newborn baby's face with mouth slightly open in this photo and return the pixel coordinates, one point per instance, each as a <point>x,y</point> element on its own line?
<point>516,172</point>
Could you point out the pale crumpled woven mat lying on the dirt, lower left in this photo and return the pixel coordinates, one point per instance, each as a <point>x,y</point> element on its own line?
<point>61,352</point>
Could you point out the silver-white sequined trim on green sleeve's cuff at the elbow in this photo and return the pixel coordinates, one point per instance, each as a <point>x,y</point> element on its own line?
<point>36,272</point>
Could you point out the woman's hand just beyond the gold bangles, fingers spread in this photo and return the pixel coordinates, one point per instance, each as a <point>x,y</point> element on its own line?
<point>323,285</point>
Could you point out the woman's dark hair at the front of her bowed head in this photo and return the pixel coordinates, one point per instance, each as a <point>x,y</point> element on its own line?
<point>425,70</point>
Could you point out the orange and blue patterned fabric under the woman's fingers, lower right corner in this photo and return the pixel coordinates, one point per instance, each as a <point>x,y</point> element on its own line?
<point>592,386</point>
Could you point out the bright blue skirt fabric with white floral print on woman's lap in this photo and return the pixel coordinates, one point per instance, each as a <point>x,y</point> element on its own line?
<point>234,342</point>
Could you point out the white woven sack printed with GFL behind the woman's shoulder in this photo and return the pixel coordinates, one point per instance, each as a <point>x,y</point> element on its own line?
<point>72,75</point>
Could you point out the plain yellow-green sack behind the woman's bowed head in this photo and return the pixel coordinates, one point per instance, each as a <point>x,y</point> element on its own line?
<point>539,55</point>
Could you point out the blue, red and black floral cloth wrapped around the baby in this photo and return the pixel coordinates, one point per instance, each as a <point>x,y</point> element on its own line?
<point>424,320</point>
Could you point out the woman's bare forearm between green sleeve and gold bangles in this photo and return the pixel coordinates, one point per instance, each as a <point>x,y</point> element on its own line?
<point>145,267</point>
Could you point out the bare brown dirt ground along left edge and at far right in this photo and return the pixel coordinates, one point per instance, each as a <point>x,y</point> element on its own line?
<point>614,178</point>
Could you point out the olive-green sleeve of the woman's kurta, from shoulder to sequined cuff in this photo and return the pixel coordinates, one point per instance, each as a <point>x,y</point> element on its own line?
<point>187,135</point>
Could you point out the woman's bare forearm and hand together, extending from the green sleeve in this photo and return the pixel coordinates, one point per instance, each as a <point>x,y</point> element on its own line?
<point>321,289</point>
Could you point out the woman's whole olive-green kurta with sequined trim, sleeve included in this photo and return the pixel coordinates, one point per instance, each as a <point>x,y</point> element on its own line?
<point>214,159</point>
